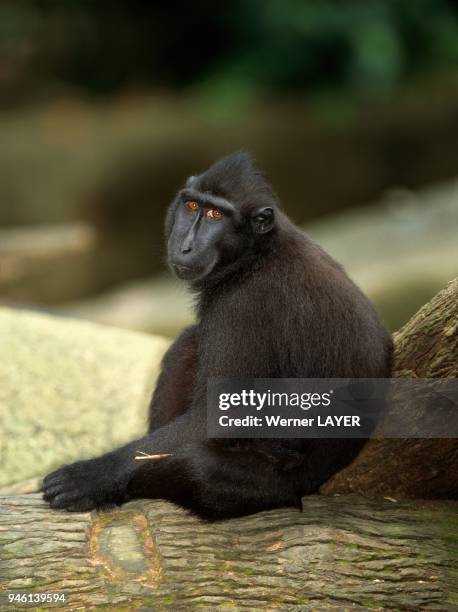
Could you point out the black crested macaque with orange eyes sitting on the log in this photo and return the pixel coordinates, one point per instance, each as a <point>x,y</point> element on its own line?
<point>270,303</point>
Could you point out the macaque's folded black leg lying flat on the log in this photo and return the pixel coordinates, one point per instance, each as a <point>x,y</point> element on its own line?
<point>216,483</point>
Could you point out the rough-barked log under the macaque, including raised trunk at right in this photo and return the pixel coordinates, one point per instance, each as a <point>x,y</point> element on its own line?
<point>341,552</point>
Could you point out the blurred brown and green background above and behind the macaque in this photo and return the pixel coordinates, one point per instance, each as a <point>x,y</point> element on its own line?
<point>351,108</point>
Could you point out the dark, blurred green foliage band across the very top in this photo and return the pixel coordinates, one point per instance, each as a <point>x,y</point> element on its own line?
<point>232,51</point>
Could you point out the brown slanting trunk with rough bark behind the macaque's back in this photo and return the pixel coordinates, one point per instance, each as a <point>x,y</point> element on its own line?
<point>426,347</point>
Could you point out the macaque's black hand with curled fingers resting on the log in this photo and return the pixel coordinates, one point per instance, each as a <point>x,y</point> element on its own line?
<point>83,486</point>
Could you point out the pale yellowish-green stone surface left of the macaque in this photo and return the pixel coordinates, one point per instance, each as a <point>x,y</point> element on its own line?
<point>69,390</point>
